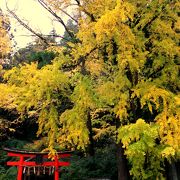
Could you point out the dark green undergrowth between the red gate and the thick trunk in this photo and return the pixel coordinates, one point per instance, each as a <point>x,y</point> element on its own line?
<point>102,165</point>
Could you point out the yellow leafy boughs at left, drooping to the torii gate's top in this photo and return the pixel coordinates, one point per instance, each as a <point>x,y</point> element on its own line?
<point>36,91</point>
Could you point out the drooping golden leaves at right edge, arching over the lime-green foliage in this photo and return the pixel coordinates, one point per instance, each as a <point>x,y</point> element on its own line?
<point>166,104</point>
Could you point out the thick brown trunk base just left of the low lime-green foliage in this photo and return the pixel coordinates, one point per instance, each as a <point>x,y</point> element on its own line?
<point>123,173</point>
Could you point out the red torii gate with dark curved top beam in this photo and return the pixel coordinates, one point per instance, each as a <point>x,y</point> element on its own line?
<point>38,162</point>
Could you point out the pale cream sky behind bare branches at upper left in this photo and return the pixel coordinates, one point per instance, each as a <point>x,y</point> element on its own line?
<point>38,18</point>
